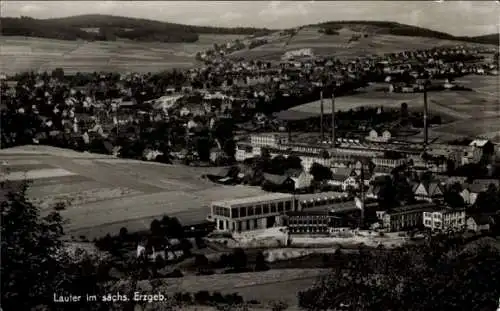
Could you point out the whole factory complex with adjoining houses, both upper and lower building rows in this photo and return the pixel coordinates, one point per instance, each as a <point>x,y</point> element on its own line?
<point>357,166</point>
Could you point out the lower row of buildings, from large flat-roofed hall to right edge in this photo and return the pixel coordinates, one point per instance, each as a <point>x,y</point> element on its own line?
<point>331,212</point>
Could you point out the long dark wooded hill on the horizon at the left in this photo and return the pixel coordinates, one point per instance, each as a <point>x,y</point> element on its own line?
<point>109,28</point>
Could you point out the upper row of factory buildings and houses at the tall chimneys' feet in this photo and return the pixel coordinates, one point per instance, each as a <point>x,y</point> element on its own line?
<point>352,161</point>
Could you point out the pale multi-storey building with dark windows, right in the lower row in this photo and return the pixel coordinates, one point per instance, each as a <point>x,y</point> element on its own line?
<point>445,219</point>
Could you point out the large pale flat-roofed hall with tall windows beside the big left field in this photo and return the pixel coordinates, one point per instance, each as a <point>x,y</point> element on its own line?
<point>259,212</point>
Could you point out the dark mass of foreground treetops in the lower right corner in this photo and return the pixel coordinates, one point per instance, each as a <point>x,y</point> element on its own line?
<point>442,275</point>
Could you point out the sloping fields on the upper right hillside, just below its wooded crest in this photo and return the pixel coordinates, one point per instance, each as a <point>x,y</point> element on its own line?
<point>340,47</point>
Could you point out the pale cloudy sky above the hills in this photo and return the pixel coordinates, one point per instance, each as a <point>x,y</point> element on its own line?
<point>467,18</point>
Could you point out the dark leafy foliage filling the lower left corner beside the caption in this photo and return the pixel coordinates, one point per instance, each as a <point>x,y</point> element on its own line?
<point>35,265</point>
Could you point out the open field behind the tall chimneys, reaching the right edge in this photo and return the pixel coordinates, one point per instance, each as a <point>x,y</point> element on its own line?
<point>475,114</point>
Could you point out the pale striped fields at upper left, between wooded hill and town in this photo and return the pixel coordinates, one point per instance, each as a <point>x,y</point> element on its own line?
<point>23,54</point>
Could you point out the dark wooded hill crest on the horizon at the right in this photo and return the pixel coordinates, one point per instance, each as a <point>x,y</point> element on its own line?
<point>398,29</point>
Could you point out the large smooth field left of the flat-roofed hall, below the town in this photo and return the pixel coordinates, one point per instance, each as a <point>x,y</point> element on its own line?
<point>104,194</point>
